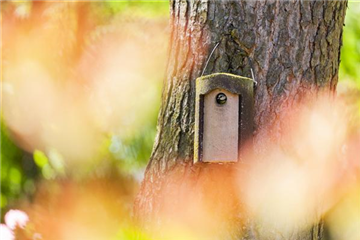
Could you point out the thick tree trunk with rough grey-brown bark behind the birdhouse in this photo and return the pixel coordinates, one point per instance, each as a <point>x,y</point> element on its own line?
<point>295,49</point>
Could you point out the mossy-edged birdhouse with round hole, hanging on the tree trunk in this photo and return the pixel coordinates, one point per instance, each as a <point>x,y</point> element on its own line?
<point>223,117</point>
